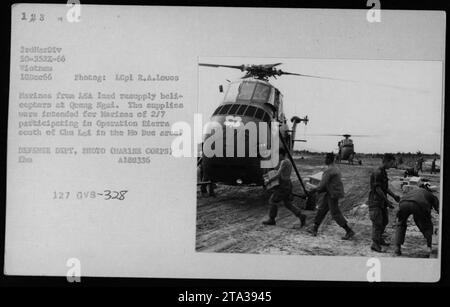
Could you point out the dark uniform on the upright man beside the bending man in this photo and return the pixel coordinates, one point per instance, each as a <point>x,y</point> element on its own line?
<point>378,210</point>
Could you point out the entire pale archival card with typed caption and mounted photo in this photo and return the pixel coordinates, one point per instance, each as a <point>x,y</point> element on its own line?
<point>149,142</point>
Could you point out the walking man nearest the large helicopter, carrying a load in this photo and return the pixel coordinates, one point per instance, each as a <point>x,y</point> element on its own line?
<point>283,192</point>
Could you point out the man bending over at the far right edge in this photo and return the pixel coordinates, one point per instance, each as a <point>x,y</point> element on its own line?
<point>418,202</point>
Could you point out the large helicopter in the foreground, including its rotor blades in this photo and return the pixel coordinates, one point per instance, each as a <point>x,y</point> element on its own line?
<point>250,99</point>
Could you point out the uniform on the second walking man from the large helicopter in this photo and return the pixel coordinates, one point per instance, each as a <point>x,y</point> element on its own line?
<point>333,187</point>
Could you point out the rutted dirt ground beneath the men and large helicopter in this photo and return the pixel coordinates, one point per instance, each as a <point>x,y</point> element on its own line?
<point>231,221</point>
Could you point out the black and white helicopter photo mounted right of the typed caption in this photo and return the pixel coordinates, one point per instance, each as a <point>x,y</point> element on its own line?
<point>359,157</point>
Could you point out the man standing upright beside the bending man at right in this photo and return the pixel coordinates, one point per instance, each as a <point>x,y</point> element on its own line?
<point>378,202</point>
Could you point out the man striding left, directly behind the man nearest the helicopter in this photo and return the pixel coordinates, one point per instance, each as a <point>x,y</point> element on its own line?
<point>333,187</point>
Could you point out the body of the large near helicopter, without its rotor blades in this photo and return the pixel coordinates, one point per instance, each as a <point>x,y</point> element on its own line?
<point>249,106</point>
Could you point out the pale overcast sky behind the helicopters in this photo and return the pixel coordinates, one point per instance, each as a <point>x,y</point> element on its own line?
<point>397,102</point>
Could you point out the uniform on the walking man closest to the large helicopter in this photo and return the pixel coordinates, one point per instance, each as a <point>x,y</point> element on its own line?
<point>283,192</point>
